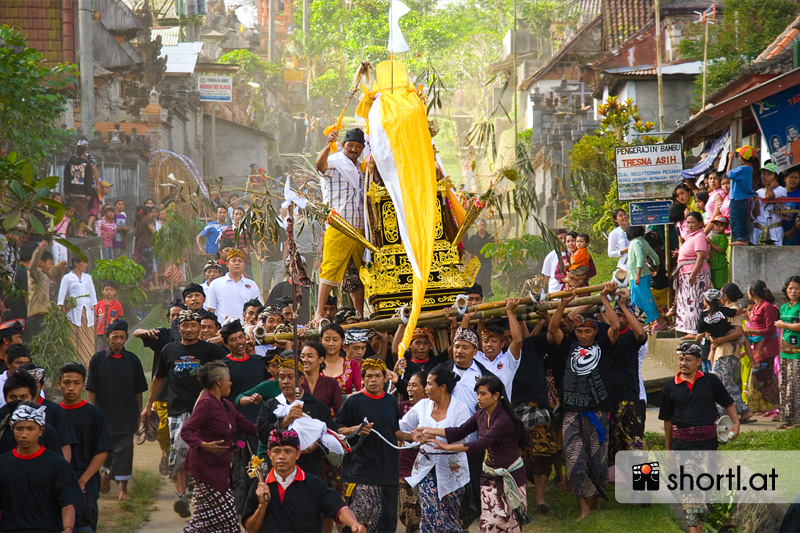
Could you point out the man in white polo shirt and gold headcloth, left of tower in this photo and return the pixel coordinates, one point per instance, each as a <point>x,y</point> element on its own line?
<point>227,295</point>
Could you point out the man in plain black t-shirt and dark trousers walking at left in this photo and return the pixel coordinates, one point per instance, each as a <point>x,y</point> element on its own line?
<point>115,384</point>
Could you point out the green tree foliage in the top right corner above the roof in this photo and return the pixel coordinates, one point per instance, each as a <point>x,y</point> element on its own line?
<point>746,29</point>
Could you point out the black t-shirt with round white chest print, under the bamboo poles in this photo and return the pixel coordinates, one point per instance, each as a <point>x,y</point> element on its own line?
<point>585,369</point>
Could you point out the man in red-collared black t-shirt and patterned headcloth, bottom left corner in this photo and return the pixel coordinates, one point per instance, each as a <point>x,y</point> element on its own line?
<point>38,491</point>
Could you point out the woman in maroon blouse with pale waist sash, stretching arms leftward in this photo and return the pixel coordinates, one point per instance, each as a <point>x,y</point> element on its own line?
<point>500,435</point>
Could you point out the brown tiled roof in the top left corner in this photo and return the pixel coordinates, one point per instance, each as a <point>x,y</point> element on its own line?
<point>47,25</point>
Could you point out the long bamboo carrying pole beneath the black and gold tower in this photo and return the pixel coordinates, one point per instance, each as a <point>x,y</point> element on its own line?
<point>439,318</point>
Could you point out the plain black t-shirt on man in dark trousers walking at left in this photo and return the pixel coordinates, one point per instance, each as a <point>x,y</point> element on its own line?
<point>116,380</point>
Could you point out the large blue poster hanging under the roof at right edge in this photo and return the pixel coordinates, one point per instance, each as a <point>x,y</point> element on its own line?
<point>778,118</point>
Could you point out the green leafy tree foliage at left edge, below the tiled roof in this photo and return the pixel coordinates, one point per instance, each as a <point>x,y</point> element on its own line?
<point>32,98</point>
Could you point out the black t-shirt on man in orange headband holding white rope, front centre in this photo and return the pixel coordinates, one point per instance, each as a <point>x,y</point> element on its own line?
<point>374,462</point>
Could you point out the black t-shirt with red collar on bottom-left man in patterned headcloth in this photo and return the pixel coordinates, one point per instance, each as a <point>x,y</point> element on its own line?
<point>33,489</point>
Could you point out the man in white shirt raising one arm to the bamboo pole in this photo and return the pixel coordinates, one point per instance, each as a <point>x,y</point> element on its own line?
<point>502,363</point>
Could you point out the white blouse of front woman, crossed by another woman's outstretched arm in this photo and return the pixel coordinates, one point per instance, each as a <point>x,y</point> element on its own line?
<point>452,469</point>
